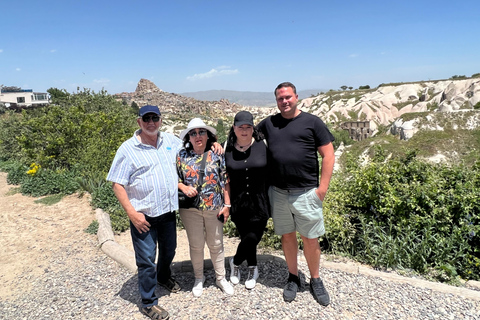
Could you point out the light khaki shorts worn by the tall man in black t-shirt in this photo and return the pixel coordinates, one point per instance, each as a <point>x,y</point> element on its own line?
<point>300,211</point>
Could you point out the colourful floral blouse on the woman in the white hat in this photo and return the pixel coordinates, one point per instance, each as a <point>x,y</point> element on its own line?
<point>214,180</point>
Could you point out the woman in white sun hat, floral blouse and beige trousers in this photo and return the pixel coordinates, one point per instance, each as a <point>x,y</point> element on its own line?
<point>202,222</point>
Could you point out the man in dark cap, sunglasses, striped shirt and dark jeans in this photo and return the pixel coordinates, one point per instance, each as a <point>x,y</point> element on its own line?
<point>145,182</point>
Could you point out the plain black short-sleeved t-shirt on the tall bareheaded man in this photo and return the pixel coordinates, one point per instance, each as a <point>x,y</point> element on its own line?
<point>293,145</point>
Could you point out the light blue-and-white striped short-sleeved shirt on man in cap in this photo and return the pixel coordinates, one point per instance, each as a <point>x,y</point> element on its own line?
<point>148,174</point>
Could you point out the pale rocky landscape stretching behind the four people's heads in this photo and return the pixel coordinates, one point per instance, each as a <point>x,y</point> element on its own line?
<point>406,107</point>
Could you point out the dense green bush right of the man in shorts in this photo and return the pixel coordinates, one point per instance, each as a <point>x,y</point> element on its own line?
<point>405,213</point>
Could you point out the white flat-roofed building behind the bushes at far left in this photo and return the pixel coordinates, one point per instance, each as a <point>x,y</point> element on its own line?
<point>23,98</point>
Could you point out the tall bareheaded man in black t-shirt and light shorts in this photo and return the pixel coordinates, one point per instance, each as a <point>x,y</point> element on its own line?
<point>294,137</point>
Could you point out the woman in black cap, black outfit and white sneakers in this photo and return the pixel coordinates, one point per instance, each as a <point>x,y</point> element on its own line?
<point>246,160</point>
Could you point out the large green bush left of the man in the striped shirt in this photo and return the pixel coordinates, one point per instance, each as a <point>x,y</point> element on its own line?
<point>83,129</point>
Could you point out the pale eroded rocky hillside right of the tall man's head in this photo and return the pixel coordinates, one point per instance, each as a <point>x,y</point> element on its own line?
<point>386,104</point>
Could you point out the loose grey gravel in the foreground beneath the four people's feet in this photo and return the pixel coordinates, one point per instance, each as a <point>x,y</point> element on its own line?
<point>98,288</point>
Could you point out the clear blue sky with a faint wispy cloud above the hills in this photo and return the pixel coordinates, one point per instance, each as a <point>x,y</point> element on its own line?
<point>185,46</point>
